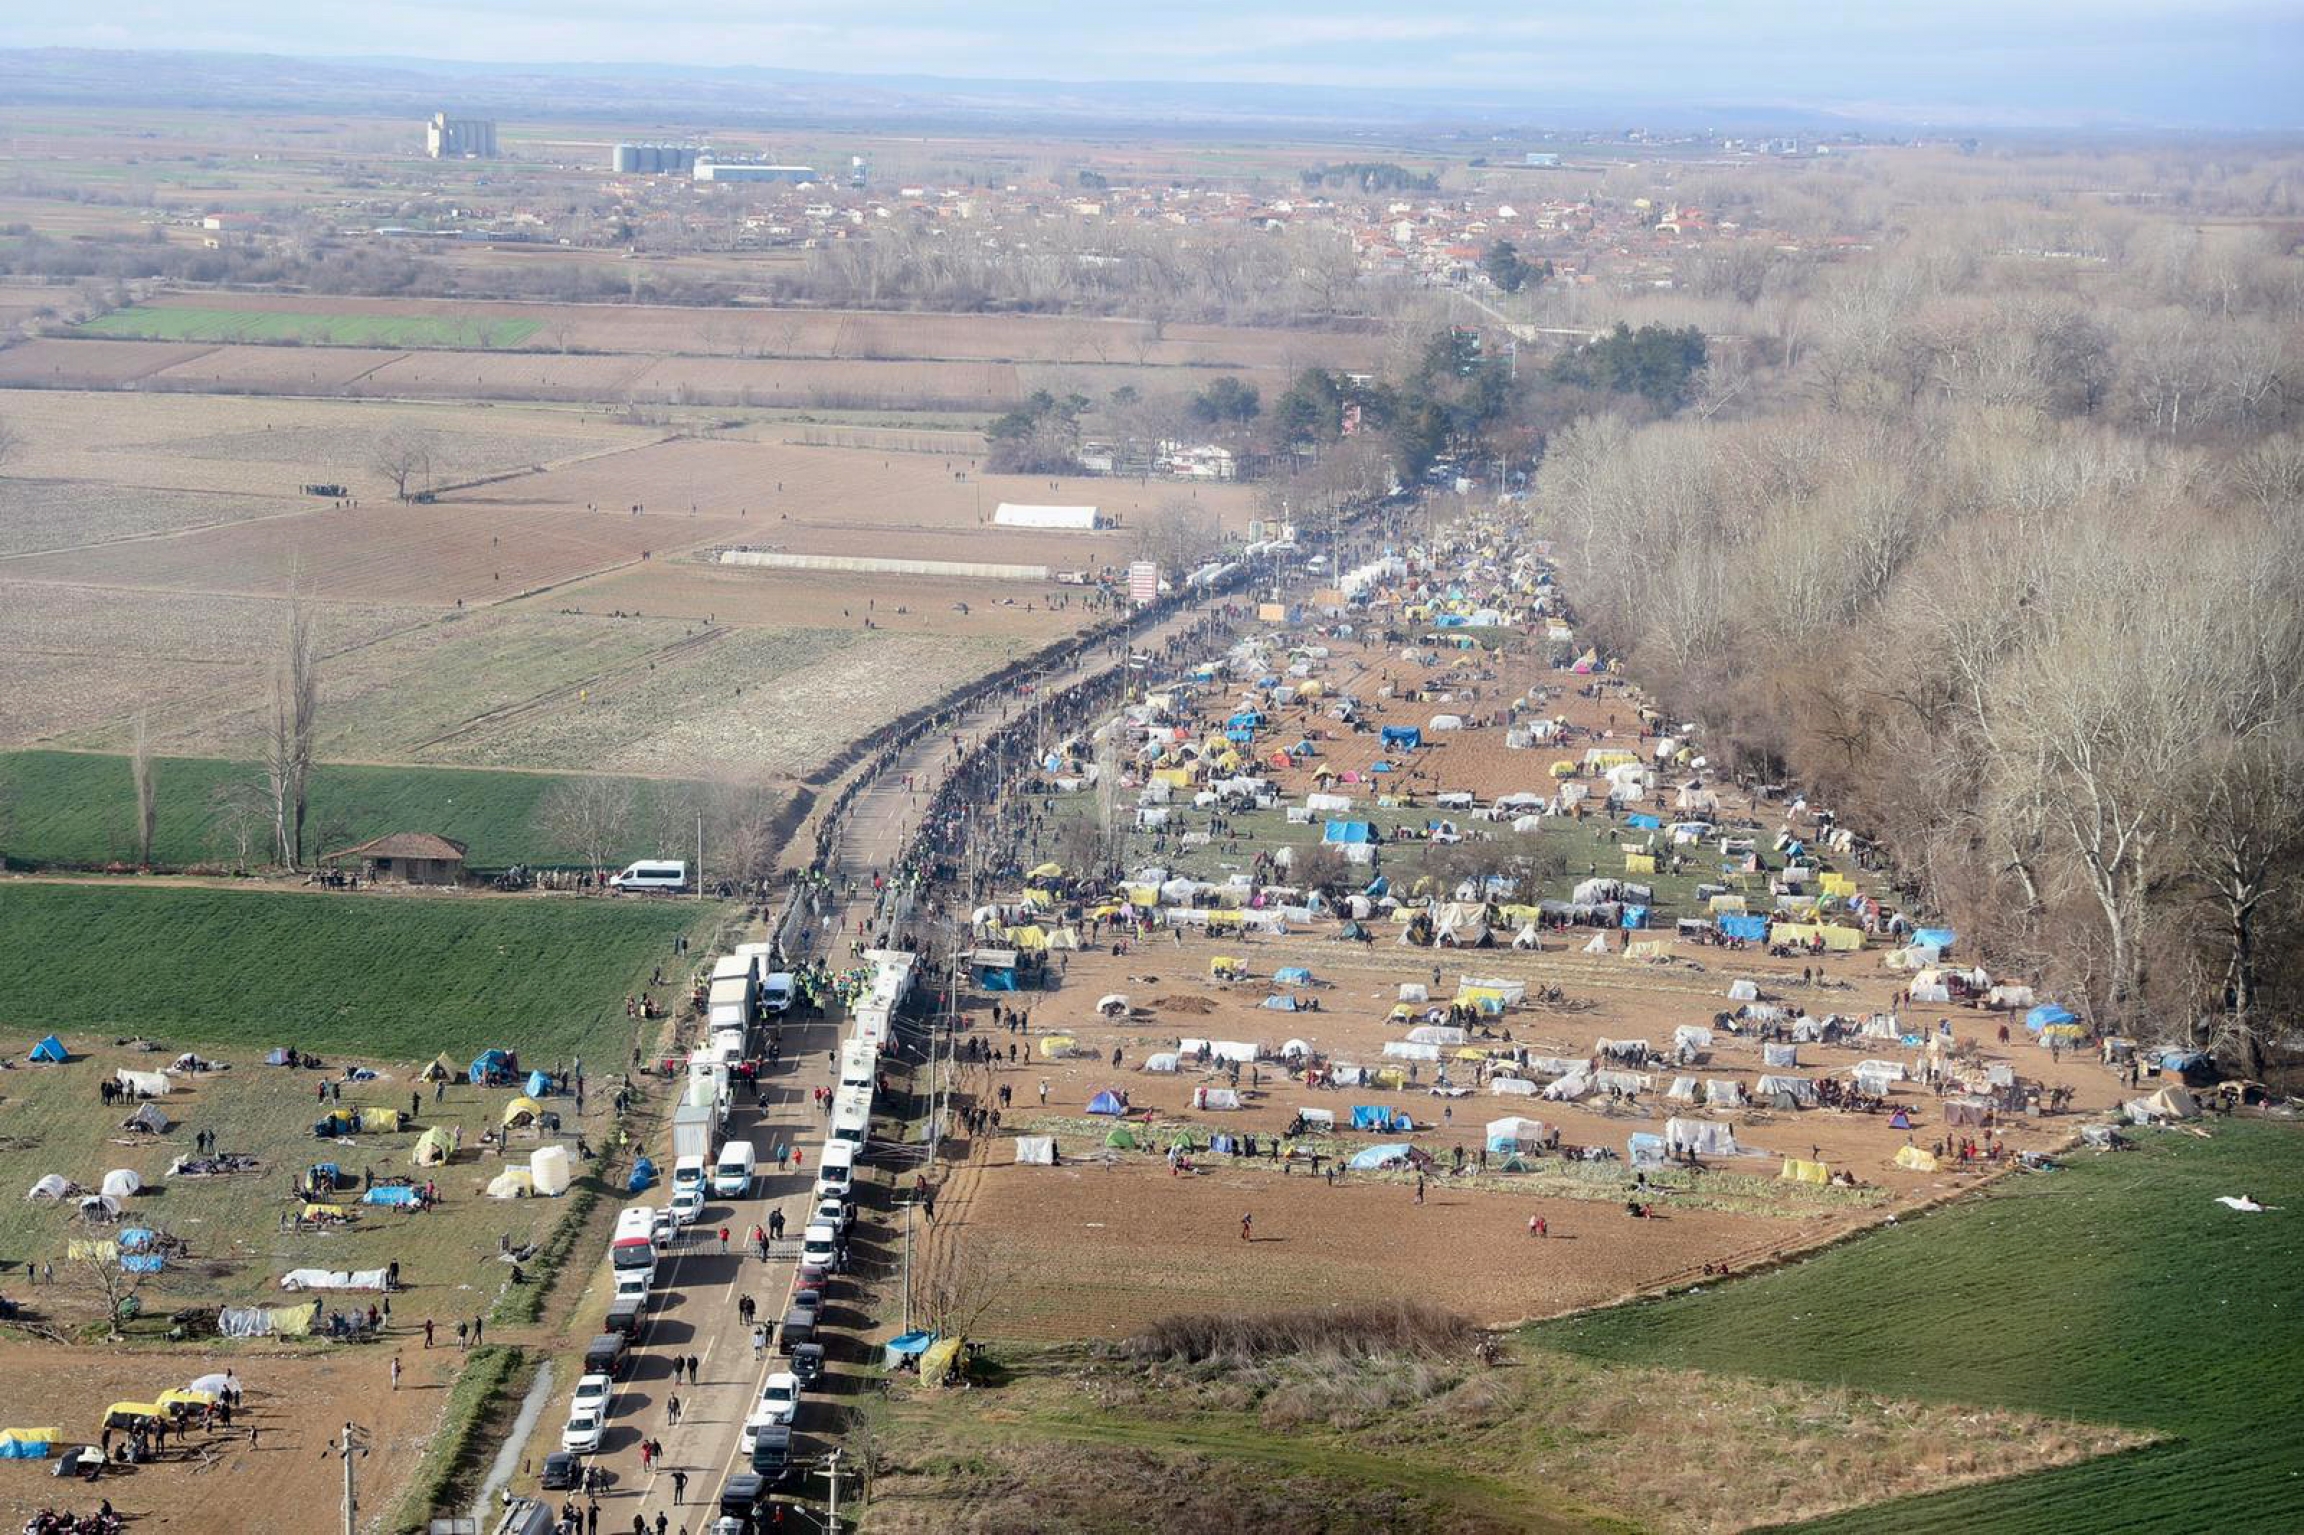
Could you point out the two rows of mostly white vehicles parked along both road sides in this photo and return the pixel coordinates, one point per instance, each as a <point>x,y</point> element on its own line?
<point>743,1031</point>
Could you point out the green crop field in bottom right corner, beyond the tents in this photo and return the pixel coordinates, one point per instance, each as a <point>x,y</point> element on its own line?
<point>2112,1292</point>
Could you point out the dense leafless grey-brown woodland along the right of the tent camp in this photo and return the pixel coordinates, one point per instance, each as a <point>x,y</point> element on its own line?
<point>2015,577</point>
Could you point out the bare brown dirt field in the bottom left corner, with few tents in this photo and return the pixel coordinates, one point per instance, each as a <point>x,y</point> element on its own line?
<point>296,1402</point>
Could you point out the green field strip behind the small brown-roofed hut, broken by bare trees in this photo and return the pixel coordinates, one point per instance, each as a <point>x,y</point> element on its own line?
<point>77,810</point>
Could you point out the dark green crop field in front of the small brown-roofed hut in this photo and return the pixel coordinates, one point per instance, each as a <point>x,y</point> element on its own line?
<point>374,976</point>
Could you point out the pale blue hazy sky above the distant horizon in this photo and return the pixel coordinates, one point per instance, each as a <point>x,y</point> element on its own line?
<point>2227,63</point>
